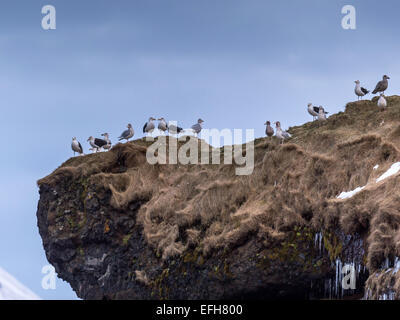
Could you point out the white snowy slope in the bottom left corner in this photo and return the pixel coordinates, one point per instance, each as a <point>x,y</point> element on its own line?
<point>12,289</point>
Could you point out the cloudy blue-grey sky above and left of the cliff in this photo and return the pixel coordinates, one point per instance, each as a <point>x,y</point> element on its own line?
<point>234,63</point>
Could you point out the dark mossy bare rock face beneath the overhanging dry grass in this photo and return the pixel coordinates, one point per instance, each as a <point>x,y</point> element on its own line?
<point>97,249</point>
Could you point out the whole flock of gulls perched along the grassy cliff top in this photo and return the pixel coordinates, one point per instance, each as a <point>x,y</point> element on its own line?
<point>318,113</point>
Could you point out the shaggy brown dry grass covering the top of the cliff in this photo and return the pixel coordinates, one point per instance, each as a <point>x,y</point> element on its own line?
<point>296,184</point>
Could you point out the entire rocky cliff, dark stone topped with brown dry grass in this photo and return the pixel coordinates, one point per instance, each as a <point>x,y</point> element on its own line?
<point>116,227</point>
